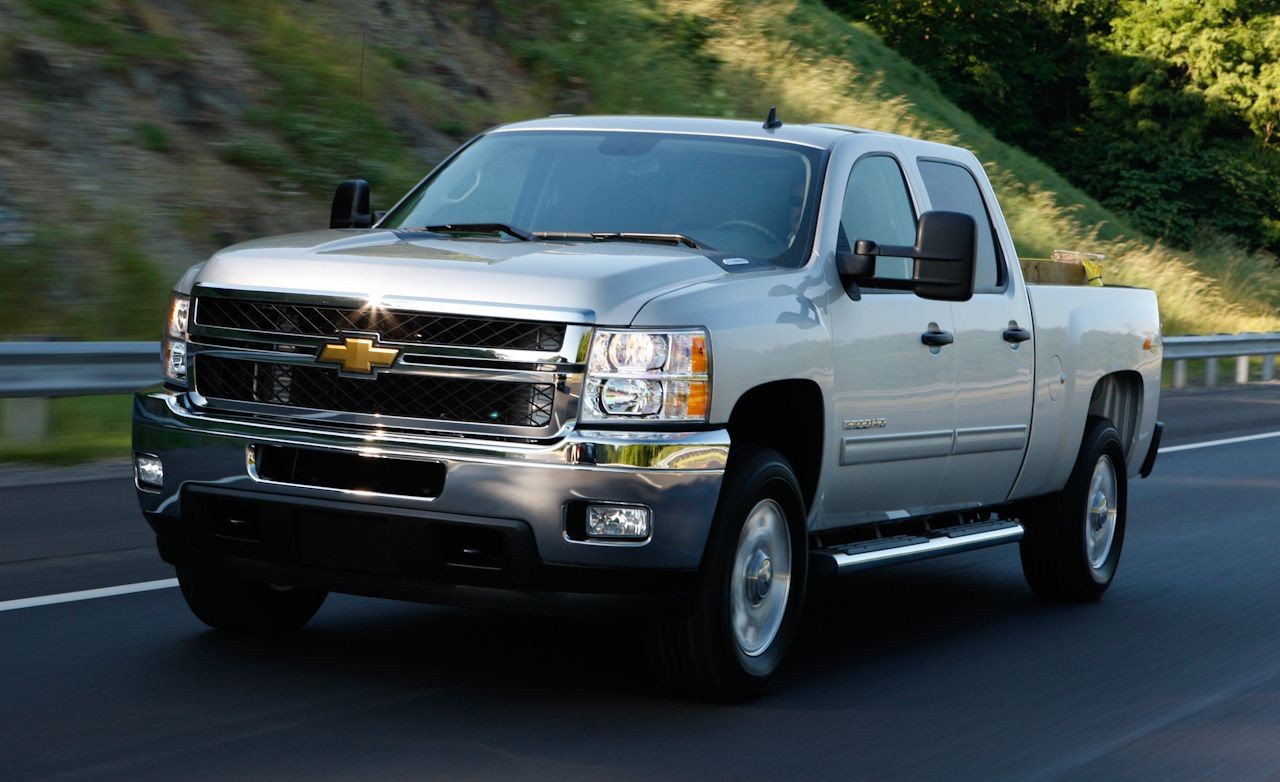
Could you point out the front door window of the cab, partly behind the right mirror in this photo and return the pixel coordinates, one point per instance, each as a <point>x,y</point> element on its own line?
<point>879,208</point>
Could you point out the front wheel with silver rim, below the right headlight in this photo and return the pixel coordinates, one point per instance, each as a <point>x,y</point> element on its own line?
<point>702,650</point>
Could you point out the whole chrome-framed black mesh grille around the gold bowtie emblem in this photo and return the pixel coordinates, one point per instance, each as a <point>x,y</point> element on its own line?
<point>452,373</point>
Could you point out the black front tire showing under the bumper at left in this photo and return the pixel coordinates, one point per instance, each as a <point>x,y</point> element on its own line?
<point>249,607</point>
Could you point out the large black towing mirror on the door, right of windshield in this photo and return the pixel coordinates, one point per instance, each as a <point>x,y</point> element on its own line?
<point>945,249</point>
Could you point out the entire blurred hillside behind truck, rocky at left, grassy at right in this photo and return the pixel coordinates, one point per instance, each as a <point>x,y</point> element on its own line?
<point>138,138</point>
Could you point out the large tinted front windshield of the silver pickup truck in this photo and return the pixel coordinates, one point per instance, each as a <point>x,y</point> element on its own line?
<point>743,198</point>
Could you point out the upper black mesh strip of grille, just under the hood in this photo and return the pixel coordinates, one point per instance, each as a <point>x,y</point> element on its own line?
<point>406,328</point>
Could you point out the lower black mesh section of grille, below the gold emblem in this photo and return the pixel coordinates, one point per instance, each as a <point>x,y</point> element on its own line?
<point>391,395</point>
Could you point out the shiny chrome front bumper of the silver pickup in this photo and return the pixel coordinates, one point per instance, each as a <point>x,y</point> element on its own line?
<point>675,474</point>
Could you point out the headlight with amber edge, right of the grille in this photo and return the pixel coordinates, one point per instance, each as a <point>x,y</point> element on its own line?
<point>655,376</point>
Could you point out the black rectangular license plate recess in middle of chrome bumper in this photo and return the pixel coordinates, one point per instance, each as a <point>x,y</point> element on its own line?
<point>346,472</point>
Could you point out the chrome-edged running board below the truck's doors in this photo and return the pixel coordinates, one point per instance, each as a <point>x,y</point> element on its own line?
<point>907,548</point>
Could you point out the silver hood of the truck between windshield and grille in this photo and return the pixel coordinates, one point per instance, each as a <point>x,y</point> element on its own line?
<point>566,282</point>
